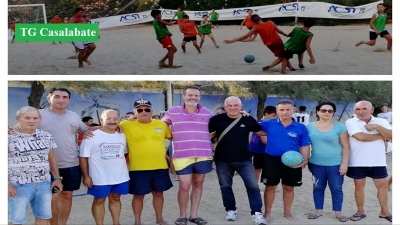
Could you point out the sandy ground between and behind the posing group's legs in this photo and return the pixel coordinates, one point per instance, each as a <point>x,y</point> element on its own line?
<point>211,207</point>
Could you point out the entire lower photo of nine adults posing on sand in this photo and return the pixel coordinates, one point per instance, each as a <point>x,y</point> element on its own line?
<point>199,152</point>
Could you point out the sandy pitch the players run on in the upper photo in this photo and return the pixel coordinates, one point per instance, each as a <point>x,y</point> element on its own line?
<point>134,50</point>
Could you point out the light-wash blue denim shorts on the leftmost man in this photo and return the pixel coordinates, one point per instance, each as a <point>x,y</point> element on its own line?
<point>38,195</point>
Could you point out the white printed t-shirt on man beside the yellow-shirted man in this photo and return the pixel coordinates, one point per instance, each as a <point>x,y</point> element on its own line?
<point>107,164</point>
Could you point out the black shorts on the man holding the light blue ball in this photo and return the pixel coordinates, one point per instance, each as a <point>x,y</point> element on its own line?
<point>274,170</point>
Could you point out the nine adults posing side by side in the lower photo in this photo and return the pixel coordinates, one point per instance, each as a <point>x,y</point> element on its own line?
<point>43,153</point>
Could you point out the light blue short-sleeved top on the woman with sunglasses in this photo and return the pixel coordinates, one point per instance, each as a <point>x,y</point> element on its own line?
<point>326,147</point>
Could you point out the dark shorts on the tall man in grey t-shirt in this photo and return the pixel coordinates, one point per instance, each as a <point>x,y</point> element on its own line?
<point>72,178</point>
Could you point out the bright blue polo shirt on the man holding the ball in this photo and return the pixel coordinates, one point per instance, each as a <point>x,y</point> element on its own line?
<point>281,139</point>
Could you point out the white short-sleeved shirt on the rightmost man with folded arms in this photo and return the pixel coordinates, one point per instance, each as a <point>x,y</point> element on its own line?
<point>368,154</point>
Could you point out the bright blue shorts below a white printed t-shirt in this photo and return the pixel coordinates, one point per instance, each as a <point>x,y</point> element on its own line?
<point>102,191</point>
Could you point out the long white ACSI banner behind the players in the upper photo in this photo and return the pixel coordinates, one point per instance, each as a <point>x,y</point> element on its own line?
<point>294,9</point>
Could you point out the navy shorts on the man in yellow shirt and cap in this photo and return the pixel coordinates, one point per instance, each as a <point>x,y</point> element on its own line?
<point>146,181</point>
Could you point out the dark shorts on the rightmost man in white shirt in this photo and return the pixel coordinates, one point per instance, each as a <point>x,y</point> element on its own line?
<point>378,172</point>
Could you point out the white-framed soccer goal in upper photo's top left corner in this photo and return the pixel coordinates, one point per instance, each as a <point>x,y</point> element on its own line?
<point>29,13</point>
